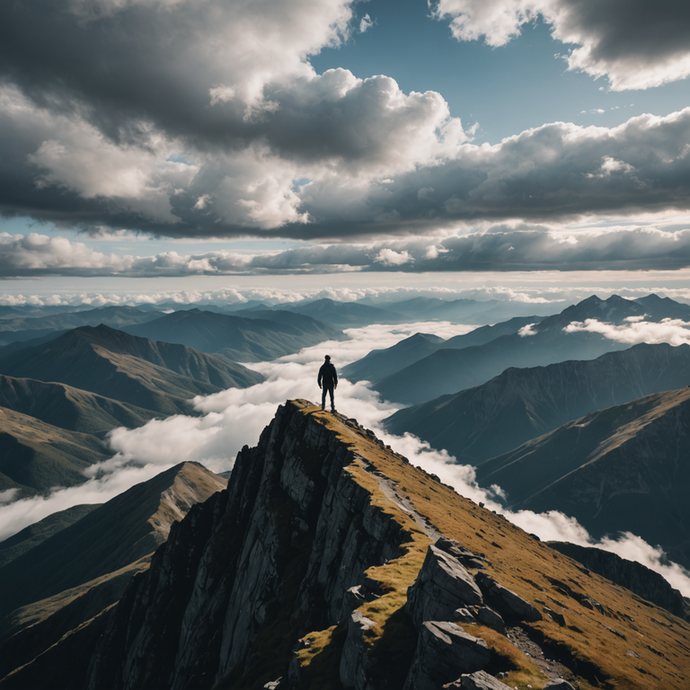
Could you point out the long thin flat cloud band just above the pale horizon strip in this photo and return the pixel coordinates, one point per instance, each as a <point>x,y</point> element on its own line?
<point>498,248</point>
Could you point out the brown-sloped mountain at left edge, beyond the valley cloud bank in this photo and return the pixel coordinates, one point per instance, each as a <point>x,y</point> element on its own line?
<point>58,399</point>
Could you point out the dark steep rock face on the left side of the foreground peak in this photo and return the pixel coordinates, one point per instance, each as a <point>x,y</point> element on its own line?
<point>293,532</point>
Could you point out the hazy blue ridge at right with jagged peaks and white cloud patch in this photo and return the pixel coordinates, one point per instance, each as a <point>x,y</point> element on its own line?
<point>451,370</point>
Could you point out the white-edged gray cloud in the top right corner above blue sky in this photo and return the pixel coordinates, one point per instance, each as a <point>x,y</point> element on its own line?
<point>634,43</point>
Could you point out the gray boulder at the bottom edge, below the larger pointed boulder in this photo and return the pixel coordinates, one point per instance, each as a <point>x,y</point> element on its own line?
<point>444,652</point>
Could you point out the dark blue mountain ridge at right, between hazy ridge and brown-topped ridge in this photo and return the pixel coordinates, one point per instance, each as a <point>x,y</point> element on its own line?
<point>520,404</point>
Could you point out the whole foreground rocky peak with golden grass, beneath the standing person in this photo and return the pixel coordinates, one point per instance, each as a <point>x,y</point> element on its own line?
<point>331,562</point>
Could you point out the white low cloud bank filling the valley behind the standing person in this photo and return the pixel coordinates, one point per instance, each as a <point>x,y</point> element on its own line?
<point>235,417</point>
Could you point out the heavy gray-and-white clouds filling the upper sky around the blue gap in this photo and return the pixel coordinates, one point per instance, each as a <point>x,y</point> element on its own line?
<point>184,118</point>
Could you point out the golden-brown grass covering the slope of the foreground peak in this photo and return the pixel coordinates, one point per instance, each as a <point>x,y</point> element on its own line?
<point>588,644</point>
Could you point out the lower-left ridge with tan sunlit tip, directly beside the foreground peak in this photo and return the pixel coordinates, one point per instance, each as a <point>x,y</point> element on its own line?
<point>91,562</point>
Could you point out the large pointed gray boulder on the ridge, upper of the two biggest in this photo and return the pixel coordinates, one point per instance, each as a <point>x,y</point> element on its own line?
<point>442,587</point>
